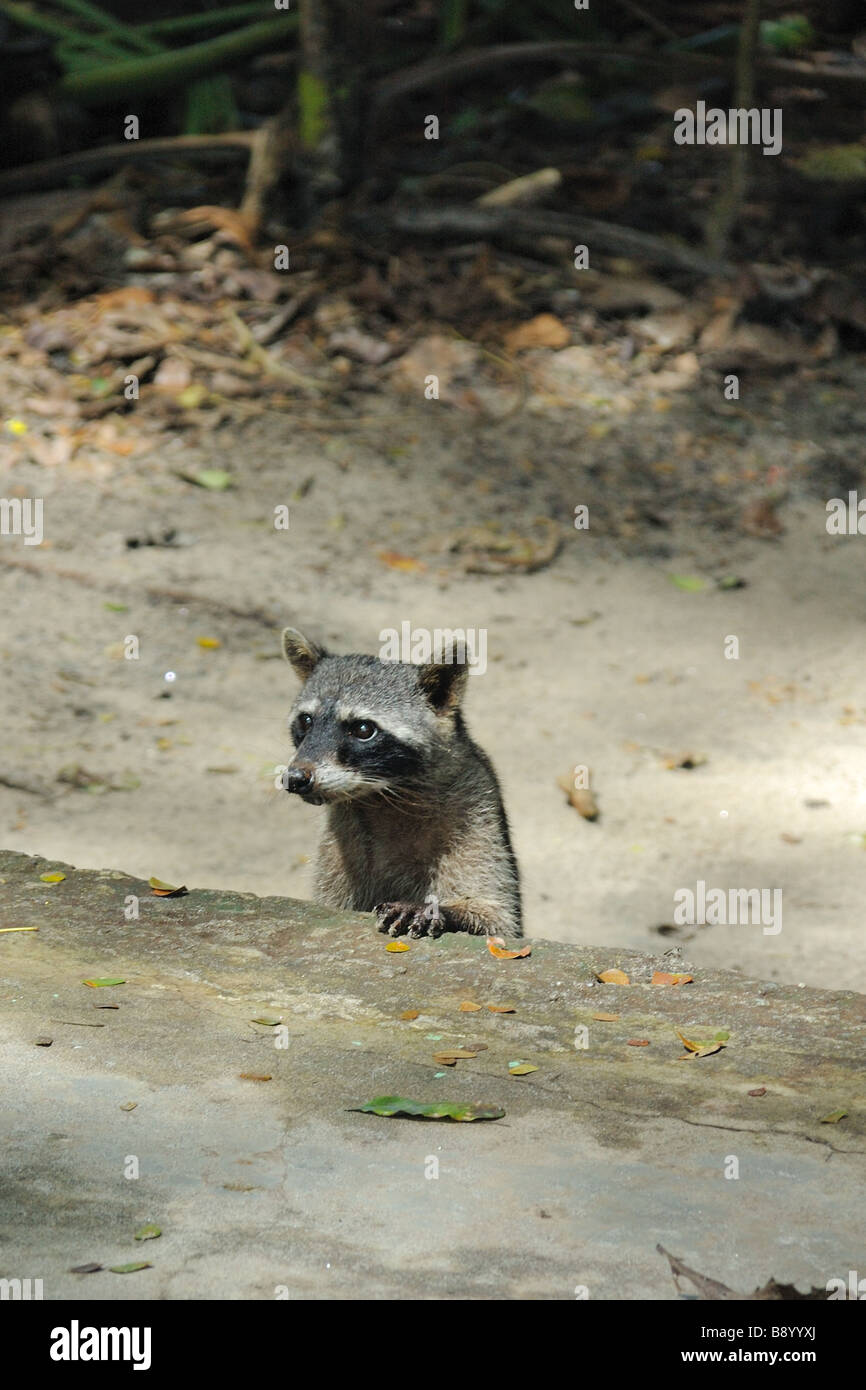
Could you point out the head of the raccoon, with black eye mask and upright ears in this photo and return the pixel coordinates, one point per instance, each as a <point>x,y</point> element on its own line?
<point>363,728</point>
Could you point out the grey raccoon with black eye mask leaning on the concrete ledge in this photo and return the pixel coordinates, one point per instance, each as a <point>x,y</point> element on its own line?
<point>416,829</point>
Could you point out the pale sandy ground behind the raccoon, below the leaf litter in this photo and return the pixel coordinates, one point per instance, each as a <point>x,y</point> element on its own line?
<point>597,660</point>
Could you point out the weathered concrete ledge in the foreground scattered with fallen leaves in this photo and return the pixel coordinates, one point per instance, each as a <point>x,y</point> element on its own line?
<point>605,1152</point>
